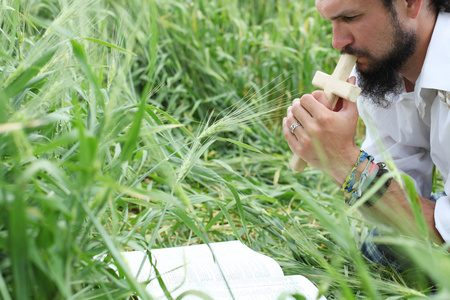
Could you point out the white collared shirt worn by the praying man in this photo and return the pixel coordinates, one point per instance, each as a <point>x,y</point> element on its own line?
<point>415,130</point>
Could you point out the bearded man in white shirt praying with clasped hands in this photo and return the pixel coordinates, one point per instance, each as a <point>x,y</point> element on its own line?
<point>403,69</point>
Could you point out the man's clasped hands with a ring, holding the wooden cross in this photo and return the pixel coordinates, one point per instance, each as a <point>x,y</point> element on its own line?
<point>326,138</point>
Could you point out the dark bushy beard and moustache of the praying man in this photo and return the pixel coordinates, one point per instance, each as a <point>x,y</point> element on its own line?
<point>382,80</point>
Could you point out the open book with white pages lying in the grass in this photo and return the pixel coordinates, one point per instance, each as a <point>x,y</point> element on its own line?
<point>237,272</point>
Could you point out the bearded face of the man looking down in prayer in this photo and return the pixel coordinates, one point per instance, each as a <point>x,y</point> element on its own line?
<point>373,33</point>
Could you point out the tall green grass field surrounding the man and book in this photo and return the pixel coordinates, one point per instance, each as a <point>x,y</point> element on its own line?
<point>157,123</point>
